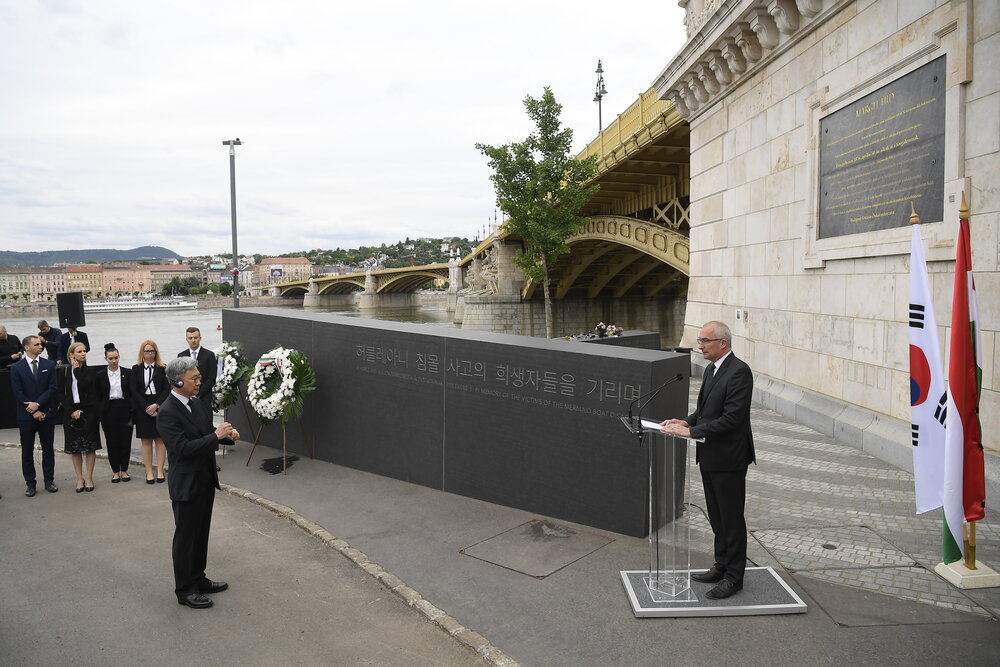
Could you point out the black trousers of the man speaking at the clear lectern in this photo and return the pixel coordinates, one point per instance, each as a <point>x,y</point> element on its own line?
<point>725,496</point>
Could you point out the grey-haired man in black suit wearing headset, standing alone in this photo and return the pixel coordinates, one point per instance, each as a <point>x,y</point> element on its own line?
<point>191,440</point>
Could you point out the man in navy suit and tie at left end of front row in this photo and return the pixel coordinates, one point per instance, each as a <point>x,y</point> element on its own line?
<point>33,382</point>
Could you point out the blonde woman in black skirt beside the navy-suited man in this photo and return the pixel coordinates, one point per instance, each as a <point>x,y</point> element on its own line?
<point>81,416</point>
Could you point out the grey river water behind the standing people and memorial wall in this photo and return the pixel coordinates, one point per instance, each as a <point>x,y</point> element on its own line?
<point>128,330</point>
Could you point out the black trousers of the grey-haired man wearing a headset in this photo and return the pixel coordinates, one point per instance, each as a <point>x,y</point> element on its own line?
<point>192,522</point>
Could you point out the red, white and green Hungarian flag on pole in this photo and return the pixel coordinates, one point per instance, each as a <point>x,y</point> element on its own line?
<point>964,472</point>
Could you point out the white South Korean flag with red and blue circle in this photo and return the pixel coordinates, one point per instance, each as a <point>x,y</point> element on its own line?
<point>927,388</point>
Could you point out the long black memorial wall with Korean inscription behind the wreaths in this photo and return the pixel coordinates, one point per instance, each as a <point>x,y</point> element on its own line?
<point>519,421</point>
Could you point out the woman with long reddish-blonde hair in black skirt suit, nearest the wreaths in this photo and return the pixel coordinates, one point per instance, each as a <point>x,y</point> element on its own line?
<point>149,389</point>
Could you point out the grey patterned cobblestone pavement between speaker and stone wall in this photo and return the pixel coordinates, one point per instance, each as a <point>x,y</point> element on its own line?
<point>834,513</point>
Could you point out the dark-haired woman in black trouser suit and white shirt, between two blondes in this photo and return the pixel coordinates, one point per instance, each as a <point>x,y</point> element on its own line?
<point>116,413</point>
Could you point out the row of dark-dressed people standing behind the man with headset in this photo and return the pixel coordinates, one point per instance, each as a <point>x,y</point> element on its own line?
<point>91,399</point>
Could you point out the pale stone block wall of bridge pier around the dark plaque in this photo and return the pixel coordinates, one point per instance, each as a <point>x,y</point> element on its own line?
<point>830,316</point>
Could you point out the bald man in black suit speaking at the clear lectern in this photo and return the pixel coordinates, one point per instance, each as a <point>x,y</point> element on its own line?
<point>722,418</point>
